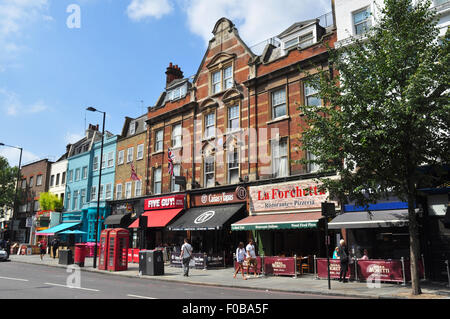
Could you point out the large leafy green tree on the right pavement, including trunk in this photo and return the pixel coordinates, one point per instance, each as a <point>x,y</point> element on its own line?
<point>386,112</point>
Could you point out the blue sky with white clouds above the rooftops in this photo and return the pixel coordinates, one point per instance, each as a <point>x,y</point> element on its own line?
<point>49,73</point>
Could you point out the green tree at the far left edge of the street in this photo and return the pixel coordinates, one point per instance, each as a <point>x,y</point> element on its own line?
<point>8,177</point>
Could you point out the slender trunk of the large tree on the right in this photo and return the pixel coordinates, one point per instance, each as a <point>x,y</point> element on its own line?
<point>414,245</point>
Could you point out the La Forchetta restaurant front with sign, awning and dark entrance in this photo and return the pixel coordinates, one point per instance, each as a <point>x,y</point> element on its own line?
<point>285,221</point>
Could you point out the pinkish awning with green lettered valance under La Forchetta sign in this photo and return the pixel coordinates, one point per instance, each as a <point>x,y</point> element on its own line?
<point>278,221</point>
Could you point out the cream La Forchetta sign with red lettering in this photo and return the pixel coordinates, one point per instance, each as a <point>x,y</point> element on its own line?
<point>304,195</point>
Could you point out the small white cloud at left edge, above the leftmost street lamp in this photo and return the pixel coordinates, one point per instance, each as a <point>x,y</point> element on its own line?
<point>11,104</point>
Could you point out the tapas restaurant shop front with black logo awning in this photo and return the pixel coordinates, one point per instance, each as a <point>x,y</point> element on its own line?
<point>208,225</point>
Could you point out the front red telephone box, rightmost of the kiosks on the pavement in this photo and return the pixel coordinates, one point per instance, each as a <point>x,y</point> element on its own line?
<point>118,249</point>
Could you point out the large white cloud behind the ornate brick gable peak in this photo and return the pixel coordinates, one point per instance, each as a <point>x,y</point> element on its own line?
<point>256,20</point>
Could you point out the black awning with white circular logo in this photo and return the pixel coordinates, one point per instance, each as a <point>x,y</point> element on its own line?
<point>206,218</point>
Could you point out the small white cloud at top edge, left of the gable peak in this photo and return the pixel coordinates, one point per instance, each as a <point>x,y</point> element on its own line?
<point>141,9</point>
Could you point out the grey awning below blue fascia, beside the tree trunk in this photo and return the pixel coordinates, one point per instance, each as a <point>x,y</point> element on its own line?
<point>372,219</point>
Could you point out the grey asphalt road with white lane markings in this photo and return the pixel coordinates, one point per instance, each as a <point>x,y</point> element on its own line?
<point>20,281</point>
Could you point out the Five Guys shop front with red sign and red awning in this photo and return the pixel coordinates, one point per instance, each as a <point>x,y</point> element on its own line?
<point>158,212</point>
